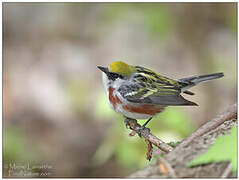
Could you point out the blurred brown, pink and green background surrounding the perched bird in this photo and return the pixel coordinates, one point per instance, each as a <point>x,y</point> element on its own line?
<point>56,120</point>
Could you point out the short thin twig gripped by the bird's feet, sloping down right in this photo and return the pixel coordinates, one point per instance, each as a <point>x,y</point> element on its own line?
<point>132,123</point>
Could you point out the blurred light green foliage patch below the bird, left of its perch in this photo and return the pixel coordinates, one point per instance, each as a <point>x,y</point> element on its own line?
<point>128,151</point>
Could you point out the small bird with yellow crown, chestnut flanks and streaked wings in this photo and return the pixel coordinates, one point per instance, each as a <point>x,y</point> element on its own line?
<point>140,93</point>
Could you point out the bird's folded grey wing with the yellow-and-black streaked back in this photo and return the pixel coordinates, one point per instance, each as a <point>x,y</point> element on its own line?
<point>151,88</point>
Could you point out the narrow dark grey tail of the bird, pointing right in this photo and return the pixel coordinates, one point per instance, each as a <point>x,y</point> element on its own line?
<point>192,81</point>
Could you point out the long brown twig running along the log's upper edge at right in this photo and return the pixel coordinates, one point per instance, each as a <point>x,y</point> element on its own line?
<point>230,113</point>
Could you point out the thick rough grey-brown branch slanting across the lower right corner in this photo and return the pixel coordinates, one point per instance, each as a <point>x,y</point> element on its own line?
<point>175,164</point>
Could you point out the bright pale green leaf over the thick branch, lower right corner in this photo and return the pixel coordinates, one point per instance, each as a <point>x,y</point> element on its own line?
<point>224,149</point>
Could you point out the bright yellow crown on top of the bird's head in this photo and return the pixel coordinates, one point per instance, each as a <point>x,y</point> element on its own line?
<point>122,68</point>
